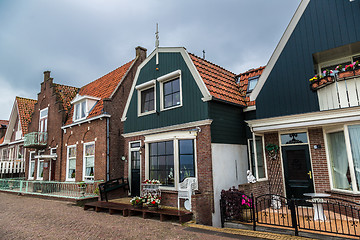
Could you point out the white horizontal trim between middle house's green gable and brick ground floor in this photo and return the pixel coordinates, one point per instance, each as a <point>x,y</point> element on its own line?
<point>169,128</point>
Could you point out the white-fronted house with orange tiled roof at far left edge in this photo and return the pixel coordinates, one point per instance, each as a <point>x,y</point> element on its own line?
<point>12,154</point>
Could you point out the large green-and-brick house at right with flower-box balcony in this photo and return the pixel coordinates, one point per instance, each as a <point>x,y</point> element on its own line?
<point>316,127</point>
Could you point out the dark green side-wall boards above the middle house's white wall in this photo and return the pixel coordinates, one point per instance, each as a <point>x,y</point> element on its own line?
<point>228,123</point>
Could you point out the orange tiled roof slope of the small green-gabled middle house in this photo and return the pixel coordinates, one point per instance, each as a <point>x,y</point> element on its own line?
<point>219,81</point>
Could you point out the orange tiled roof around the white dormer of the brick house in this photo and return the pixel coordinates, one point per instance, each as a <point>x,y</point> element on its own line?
<point>101,88</point>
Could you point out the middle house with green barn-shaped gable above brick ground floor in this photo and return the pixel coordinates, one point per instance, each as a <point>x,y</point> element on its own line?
<point>181,120</point>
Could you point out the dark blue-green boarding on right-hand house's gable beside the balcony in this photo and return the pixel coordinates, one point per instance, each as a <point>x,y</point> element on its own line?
<point>325,24</point>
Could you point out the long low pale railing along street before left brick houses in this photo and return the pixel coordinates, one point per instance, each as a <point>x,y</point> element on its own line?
<point>72,190</point>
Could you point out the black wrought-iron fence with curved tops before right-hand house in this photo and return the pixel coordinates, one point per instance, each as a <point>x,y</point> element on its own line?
<point>318,214</point>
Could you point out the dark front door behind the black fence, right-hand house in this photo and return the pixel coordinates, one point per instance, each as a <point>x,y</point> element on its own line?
<point>297,171</point>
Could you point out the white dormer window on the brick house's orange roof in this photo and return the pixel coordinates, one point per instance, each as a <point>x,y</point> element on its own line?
<point>83,106</point>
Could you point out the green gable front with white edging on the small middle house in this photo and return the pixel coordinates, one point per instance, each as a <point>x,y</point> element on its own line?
<point>194,92</point>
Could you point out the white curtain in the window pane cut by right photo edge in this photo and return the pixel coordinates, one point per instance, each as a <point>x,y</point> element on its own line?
<point>354,133</point>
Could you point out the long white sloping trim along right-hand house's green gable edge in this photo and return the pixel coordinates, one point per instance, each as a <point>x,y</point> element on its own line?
<point>279,48</point>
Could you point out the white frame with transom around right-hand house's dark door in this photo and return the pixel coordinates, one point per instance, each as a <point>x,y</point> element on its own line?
<point>285,145</point>
